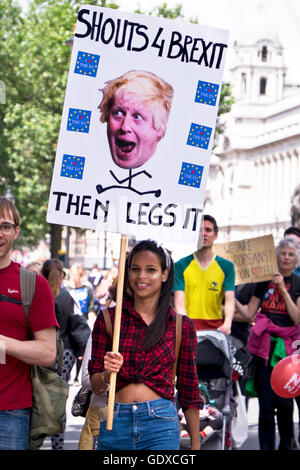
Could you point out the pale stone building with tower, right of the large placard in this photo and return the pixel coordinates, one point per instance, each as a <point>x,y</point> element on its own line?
<point>255,167</point>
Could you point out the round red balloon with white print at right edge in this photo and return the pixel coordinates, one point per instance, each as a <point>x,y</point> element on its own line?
<point>285,377</point>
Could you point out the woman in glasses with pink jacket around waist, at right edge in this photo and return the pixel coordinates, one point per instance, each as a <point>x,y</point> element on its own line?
<point>275,335</point>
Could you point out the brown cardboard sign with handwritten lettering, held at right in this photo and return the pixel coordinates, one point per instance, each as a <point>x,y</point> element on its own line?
<point>254,259</point>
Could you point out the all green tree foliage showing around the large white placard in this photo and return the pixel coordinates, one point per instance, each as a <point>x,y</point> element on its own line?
<point>34,63</point>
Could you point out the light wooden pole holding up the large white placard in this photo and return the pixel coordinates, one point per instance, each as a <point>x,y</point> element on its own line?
<point>116,335</point>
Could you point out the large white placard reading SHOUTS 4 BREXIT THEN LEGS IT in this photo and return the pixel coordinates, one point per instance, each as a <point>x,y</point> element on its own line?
<point>137,125</point>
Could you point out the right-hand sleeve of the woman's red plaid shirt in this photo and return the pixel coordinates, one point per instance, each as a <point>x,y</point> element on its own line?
<point>187,379</point>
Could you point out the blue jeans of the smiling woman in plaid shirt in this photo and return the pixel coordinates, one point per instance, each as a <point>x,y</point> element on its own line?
<point>151,425</point>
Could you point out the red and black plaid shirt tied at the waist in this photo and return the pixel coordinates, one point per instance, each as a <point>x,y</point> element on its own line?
<point>153,367</point>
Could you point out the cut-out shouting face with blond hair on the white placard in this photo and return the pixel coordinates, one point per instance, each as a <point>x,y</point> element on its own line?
<point>136,112</point>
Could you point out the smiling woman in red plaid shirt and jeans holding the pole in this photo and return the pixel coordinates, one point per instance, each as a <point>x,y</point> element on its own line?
<point>145,415</point>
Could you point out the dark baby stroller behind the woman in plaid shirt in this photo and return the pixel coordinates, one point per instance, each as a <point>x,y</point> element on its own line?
<point>214,367</point>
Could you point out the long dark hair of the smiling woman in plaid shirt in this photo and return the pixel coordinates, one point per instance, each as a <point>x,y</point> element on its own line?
<point>156,329</point>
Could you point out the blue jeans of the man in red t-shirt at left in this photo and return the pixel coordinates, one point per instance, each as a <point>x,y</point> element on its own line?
<point>14,429</point>
